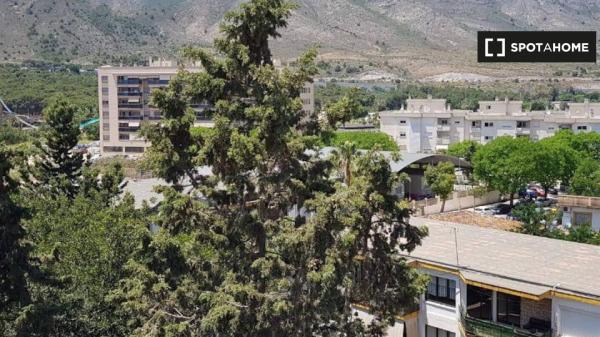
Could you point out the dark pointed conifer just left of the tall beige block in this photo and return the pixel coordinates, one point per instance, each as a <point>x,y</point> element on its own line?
<point>59,167</point>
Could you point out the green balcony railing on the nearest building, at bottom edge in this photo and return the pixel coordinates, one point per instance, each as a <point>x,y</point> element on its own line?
<point>481,328</point>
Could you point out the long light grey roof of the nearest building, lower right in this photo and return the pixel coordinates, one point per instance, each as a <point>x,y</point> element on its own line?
<point>524,263</point>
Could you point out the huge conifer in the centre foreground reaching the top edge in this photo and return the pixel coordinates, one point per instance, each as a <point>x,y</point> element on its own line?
<point>274,246</point>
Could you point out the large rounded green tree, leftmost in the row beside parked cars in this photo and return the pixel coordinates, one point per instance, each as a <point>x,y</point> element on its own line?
<point>505,164</point>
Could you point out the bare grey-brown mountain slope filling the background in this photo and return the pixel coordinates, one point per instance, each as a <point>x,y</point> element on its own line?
<point>424,37</point>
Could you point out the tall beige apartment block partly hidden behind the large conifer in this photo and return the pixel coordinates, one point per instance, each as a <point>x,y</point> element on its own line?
<point>124,99</point>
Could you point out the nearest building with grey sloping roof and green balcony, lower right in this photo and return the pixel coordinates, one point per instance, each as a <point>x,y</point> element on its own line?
<point>487,282</point>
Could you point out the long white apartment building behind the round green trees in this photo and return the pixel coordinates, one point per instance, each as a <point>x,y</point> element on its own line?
<point>428,125</point>
